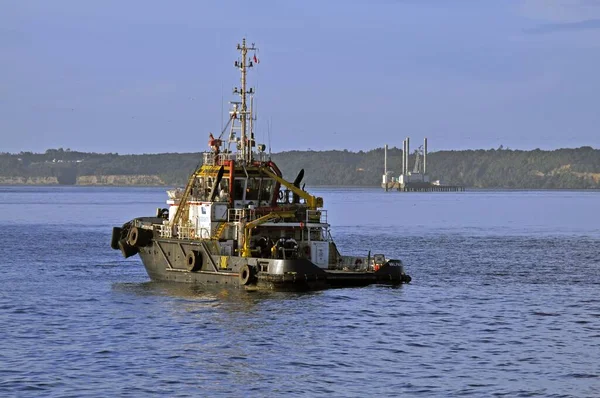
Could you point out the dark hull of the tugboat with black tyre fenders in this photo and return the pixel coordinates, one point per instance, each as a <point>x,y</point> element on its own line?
<point>169,260</point>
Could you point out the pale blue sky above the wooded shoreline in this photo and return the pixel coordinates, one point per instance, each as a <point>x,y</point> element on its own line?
<point>154,76</point>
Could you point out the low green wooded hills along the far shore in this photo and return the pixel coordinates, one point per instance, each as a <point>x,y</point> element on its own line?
<point>577,168</point>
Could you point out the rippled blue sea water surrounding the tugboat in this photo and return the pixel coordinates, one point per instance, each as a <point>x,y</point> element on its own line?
<point>505,301</point>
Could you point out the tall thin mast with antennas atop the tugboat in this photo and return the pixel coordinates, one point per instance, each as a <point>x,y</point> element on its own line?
<point>247,137</point>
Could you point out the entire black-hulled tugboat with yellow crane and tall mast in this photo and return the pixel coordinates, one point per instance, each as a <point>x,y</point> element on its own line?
<point>238,223</point>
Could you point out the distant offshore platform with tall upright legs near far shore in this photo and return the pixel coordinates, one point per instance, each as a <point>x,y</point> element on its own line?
<point>416,180</point>
